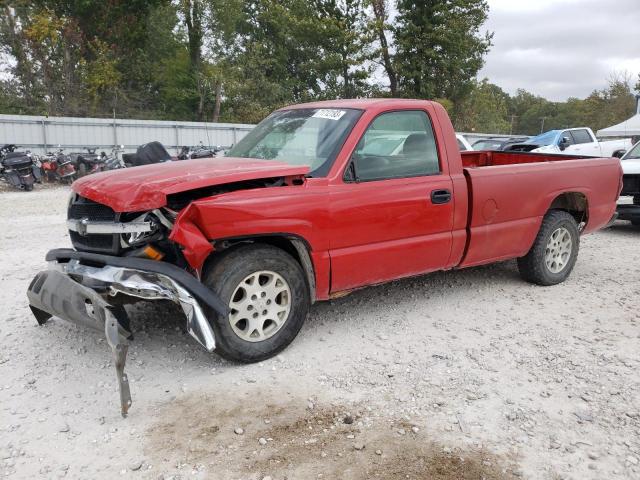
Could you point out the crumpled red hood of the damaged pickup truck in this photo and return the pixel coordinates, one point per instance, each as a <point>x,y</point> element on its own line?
<point>146,187</point>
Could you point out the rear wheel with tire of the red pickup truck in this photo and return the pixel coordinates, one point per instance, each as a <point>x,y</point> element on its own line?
<point>540,266</point>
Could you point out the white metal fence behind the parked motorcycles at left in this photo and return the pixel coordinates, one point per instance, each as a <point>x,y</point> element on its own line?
<point>40,134</point>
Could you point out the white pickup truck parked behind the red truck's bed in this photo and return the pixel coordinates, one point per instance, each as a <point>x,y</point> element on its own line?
<point>573,141</point>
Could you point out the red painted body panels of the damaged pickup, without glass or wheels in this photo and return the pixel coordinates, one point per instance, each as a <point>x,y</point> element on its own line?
<point>365,233</point>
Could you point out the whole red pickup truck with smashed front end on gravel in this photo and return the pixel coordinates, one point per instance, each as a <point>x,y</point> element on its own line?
<point>319,199</point>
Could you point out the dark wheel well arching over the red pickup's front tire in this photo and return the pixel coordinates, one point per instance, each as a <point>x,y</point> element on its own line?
<point>293,245</point>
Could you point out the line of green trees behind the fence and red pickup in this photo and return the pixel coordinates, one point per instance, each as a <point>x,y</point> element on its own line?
<point>237,60</point>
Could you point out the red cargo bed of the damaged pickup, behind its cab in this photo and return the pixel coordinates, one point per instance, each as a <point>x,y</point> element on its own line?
<point>509,193</point>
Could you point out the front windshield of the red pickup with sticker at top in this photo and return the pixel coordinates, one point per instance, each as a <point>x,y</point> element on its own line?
<point>305,136</point>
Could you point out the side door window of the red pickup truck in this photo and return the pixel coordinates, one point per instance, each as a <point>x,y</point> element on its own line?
<point>395,145</point>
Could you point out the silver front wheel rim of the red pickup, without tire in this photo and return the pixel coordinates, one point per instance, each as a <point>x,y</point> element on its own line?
<point>260,306</point>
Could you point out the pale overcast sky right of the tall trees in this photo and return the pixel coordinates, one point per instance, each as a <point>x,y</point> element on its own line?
<point>562,48</point>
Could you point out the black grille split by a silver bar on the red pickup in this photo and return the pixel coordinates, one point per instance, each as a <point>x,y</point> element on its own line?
<point>81,208</point>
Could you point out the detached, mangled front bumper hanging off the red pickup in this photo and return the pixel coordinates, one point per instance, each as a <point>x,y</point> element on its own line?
<point>89,289</point>
